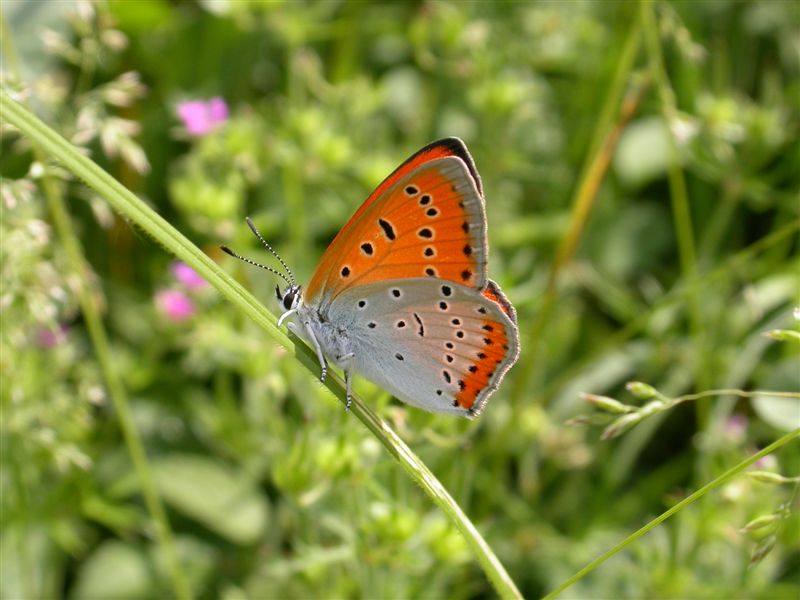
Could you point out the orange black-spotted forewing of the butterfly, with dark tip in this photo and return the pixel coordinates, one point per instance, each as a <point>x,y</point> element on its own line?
<point>426,220</point>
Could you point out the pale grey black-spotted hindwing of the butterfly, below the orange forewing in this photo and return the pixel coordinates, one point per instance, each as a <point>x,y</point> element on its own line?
<point>418,338</point>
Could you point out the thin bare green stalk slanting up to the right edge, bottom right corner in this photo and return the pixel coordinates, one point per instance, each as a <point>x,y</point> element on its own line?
<point>713,484</point>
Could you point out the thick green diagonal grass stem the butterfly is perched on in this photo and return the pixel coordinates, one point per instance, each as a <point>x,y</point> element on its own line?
<point>127,204</point>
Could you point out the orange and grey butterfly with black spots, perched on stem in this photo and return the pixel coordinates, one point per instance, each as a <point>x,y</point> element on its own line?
<point>401,296</point>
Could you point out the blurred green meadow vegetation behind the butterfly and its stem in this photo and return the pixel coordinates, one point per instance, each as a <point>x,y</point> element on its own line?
<point>641,165</point>
